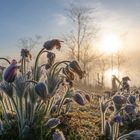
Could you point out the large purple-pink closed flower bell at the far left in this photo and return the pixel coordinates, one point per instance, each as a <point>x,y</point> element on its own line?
<point>11,72</point>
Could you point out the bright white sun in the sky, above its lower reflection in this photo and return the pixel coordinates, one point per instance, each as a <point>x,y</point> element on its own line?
<point>110,43</point>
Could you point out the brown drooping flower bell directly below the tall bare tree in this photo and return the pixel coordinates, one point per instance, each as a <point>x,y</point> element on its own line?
<point>74,66</point>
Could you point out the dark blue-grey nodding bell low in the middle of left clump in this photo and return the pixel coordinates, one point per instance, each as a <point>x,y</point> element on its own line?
<point>41,90</point>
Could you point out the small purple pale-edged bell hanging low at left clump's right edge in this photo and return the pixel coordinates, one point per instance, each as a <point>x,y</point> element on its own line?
<point>78,98</point>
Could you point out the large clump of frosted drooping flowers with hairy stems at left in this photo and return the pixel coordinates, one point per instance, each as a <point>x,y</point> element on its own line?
<point>37,99</point>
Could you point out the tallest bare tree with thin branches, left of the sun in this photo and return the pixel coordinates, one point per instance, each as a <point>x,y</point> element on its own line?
<point>82,29</point>
